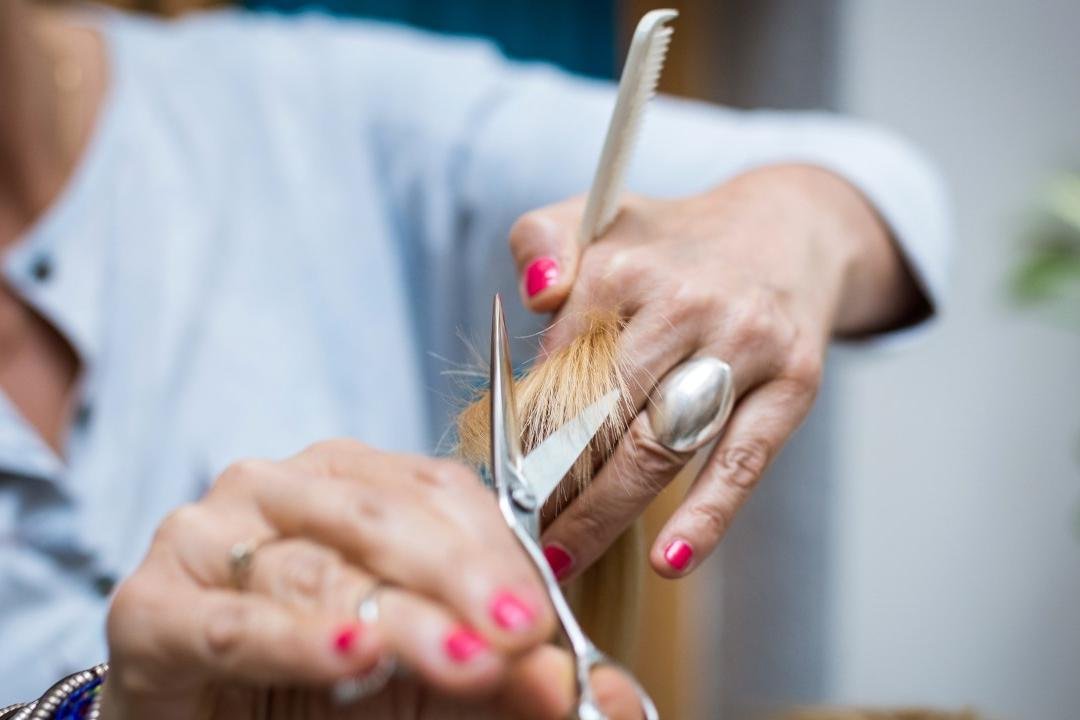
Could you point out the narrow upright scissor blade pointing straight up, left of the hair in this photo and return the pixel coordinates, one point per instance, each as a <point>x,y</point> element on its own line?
<point>506,438</point>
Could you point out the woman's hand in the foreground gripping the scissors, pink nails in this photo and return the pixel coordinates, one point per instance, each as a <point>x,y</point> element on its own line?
<point>463,608</point>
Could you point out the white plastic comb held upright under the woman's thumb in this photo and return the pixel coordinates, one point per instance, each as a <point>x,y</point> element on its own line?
<point>638,86</point>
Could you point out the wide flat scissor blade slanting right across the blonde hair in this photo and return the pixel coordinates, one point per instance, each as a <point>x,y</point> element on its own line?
<point>552,459</point>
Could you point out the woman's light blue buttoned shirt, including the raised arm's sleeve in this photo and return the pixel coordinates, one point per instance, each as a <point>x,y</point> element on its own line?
<point>276,237</point>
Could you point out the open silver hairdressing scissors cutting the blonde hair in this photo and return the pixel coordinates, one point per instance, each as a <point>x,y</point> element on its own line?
<point>523,485</point>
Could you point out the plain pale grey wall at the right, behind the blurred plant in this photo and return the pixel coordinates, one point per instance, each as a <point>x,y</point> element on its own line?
<point>957,565</point>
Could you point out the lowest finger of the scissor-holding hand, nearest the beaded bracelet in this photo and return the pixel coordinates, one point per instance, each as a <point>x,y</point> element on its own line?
<point>232,636</point>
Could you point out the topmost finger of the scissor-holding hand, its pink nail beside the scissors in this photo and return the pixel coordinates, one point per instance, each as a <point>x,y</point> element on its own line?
<point>388,527</point>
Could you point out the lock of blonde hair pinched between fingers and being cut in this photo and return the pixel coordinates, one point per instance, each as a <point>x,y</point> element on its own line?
<point>606,597</point>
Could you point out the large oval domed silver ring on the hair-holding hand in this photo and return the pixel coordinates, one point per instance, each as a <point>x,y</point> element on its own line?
<point>692,404</point>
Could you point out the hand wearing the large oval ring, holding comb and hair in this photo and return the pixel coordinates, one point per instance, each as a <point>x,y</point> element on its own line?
<point>760,273</point>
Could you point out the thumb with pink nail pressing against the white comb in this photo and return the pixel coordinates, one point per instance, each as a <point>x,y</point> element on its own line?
<point>545,247</point>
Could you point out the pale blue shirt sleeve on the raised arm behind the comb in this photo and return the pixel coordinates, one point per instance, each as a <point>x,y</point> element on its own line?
<point>543,141</point>
